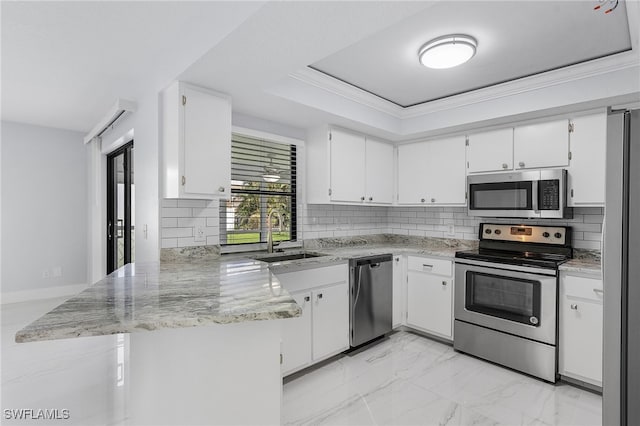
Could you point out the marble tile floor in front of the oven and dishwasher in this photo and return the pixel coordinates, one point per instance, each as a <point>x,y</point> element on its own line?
<point>411,380</point>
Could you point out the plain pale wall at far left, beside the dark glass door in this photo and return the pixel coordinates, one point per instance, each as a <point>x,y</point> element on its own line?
<point>43,211</point>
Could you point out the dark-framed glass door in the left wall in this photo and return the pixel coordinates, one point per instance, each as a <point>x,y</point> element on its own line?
<point>120,213</point>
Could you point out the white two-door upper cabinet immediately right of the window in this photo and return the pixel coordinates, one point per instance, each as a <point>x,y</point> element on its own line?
<point>350,168</point>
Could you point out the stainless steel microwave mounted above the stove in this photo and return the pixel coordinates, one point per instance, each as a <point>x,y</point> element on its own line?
<point>527,194</point>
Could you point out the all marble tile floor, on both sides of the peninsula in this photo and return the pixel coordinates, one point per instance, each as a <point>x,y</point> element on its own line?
<point>404,380</point>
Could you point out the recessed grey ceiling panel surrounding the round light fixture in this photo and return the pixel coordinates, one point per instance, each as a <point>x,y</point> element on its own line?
<point>515,39</point>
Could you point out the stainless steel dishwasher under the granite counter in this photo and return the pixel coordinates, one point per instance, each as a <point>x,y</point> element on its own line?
<point>370,297</point>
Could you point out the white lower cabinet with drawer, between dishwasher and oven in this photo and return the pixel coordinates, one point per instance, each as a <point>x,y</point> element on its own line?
<point>430,295</point>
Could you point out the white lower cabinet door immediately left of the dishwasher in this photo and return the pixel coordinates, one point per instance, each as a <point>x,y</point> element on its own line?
<point>330,320</point>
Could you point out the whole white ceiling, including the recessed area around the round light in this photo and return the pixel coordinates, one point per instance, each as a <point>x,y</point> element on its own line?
<point>65,63</point>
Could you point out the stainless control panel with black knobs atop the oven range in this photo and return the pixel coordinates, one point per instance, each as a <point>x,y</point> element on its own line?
<point>524,233</point>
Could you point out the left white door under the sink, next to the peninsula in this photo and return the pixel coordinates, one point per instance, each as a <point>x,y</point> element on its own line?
<point>296,336</point>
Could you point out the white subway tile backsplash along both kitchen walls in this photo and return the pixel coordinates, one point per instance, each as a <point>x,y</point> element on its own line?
<point>180,218</point>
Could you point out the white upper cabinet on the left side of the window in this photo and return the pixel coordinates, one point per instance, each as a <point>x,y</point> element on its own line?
<point>196,142</point>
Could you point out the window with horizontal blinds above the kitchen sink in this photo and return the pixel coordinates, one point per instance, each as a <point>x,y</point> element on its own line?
<point>263,190</point>
